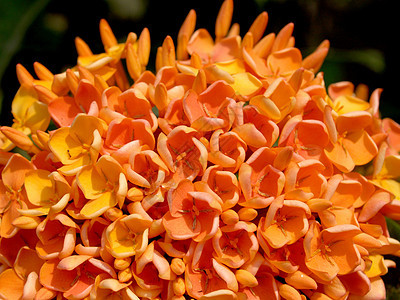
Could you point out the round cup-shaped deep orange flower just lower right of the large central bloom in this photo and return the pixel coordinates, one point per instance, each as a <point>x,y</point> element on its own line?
<point>235,244</point>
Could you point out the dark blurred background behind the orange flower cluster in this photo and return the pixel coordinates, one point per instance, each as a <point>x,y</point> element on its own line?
<point>362,36</point>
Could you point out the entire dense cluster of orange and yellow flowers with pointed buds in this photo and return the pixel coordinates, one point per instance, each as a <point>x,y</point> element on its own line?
<point>230,172</point>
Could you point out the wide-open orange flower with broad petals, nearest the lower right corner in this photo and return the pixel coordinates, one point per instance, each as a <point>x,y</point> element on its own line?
<point>331,252</point>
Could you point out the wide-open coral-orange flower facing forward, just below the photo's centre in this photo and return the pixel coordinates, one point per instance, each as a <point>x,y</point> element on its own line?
<point>192,214</point>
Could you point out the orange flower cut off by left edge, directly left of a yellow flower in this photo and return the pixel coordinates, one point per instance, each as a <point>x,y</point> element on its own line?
<point>12,194</point>
